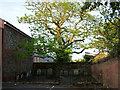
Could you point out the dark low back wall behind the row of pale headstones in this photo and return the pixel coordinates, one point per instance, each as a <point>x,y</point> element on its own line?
<point>65,69</point>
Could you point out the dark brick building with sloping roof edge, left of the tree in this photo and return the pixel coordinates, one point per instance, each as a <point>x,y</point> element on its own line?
<point>12,68</point>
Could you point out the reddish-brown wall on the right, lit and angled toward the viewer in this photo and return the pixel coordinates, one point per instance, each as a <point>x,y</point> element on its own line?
<point>107,72</point>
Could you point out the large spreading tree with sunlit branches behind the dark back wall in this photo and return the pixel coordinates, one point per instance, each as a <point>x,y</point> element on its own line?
<point>59,28</point>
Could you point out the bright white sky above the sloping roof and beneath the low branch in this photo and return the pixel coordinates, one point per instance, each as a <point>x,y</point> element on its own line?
<point>10,9</point>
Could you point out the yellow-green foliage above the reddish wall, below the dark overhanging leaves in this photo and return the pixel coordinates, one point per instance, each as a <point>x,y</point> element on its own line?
<point>107,38</point>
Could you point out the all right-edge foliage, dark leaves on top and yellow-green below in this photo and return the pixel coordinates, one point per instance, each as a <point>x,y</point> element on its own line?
<point>107,32</point>
